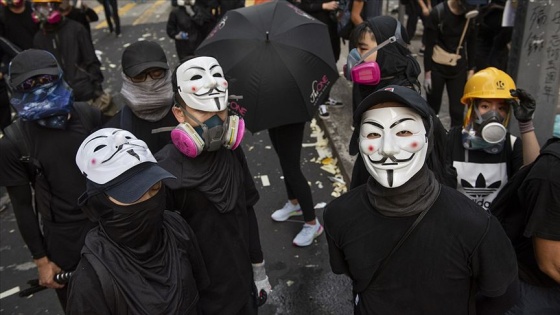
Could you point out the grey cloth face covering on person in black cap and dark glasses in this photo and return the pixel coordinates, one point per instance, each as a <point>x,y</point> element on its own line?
<point>150,100</point>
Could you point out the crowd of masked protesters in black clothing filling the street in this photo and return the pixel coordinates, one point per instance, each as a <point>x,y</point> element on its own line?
<point>156,211</point>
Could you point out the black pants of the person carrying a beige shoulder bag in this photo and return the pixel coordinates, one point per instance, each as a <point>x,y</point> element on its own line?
<point>455,88</point>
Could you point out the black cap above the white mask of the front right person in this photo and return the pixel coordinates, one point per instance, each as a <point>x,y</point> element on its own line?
<point>398,94</point>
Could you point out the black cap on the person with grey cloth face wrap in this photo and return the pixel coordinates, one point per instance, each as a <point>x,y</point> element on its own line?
<point>143,55</point>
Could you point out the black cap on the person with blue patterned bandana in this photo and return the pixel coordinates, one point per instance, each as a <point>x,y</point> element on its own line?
<point>30,63</point>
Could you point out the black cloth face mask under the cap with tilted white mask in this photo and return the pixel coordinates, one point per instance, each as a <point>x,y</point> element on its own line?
<point>137,227</point>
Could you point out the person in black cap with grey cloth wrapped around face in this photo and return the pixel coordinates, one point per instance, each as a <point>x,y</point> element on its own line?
<point>146,96</point>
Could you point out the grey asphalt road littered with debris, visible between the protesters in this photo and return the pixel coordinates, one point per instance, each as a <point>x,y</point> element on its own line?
<point>301,277</point>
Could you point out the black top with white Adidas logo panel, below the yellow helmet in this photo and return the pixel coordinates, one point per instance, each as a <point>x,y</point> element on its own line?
<point>481,175</point>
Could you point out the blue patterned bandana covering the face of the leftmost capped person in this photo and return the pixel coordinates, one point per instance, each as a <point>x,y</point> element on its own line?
<point>44,103</point>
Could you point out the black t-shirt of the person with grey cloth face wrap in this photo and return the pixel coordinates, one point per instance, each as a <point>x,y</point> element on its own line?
<point>144,130</point>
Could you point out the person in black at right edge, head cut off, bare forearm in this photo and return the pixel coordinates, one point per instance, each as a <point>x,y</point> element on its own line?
<point>538,243</point>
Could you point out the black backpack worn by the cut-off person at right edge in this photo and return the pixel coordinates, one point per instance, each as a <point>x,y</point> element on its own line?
<point>508,207</point>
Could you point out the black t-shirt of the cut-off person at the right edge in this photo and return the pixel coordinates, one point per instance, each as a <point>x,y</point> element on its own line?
<point>540,194</point>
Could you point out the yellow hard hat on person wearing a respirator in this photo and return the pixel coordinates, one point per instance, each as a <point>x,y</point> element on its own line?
<point>488,83</point>
